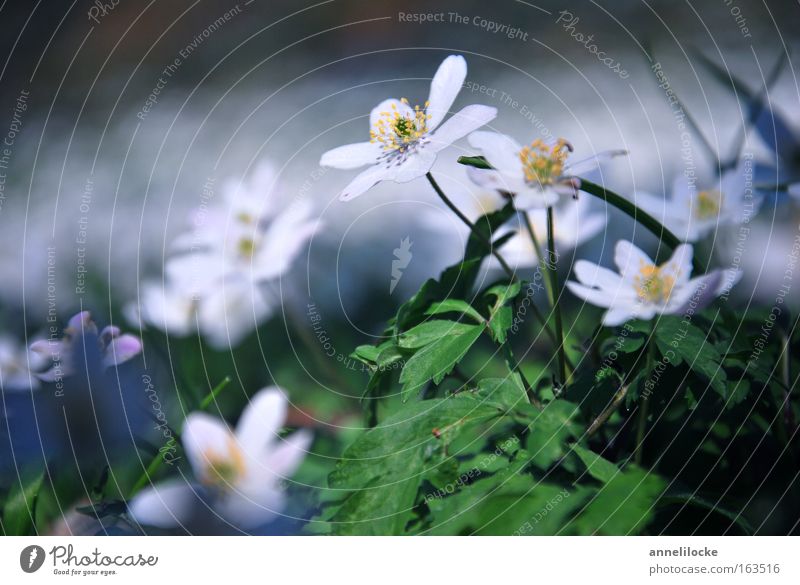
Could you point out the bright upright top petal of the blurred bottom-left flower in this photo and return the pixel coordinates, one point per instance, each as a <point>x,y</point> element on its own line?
<point>262,419</point>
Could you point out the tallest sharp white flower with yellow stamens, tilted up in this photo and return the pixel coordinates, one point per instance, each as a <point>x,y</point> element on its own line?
<point>404,141</point>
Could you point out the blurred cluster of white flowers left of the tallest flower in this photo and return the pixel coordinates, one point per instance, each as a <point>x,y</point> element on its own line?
<point>218,280</point>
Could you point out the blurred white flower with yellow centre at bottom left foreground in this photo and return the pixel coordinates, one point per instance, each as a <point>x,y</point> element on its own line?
<point>238,473</point>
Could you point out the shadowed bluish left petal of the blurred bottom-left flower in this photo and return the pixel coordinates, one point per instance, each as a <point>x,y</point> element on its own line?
<point>164,505</point>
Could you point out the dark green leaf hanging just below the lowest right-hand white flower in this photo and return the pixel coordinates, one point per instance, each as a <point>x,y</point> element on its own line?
<point>683,342</point>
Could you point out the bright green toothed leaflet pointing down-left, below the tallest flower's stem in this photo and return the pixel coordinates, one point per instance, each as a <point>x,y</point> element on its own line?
<point>437,359</point>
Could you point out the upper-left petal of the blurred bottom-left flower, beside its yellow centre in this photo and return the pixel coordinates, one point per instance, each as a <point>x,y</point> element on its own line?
<point>204,438</point>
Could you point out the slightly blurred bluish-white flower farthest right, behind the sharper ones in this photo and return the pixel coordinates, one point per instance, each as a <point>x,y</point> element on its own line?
<point>691,213</point>
